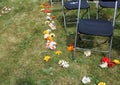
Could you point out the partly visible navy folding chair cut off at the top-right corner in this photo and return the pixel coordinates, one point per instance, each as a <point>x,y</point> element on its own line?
<point>103,4</point>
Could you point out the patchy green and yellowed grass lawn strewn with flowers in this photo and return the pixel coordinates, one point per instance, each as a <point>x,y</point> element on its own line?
<point>22,49</point>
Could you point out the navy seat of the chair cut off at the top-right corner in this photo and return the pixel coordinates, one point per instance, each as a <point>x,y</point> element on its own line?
<point>110,4</point>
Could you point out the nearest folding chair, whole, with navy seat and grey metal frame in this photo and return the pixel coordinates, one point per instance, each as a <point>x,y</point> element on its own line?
<point>94,27</point>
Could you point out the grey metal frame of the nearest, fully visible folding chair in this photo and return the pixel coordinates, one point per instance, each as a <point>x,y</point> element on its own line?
<point>76,36</point>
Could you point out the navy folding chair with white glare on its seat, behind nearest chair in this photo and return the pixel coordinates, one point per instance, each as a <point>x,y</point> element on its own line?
<point>73,5</point>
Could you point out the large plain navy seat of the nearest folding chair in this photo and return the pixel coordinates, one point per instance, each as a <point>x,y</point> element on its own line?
<point>95,27</point>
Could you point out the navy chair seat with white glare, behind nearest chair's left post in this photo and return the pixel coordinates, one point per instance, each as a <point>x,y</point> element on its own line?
<point>72,5</point>
